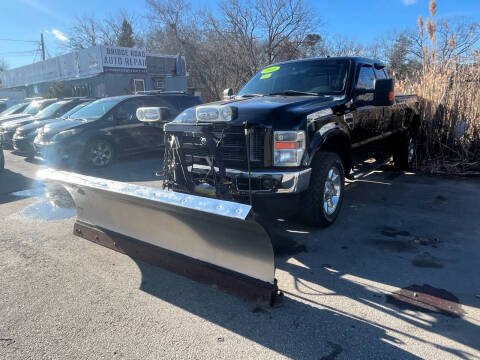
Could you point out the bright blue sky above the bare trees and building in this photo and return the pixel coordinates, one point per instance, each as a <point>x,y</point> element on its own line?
<point>362,20</point>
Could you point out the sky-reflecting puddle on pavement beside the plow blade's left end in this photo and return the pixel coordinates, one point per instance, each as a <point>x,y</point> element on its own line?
<point>53,203</point>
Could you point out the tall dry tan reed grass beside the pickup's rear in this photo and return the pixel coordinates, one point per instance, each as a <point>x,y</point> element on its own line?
<point>449,104</point>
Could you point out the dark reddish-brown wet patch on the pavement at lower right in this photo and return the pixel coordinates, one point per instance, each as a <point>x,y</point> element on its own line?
<point>427,299</point>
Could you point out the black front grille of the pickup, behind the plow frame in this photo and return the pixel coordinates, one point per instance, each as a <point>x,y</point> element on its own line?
<point>232,146</point>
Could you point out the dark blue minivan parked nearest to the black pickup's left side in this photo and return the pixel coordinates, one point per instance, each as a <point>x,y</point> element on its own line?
<point>106,129</point>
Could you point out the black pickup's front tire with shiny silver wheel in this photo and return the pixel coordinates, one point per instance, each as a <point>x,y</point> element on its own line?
<point>322,201</point>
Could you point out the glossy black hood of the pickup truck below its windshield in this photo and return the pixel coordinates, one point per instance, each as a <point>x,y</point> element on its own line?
<point>285,111</point>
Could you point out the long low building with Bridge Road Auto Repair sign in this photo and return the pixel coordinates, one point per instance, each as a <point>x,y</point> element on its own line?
<point>98,71</point>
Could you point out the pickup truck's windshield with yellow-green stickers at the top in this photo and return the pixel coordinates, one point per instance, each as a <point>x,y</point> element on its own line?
<point>314,76</point>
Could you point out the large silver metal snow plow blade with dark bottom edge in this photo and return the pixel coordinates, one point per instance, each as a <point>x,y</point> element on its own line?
<point>211,241</point>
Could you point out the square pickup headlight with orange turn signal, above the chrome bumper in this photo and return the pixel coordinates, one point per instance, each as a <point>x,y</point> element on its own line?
<point>288,148</point>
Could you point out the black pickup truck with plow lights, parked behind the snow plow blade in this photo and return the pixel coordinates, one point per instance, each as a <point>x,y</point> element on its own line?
<point>291,135</point>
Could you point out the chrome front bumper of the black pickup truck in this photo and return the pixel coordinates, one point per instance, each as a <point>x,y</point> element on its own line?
<point>263,182</point>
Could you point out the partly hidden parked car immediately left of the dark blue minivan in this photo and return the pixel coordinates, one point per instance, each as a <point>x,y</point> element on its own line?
<point>25,135</point>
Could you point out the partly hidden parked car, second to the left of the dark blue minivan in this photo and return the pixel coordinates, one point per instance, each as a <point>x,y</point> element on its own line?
<point>52,111</point>
